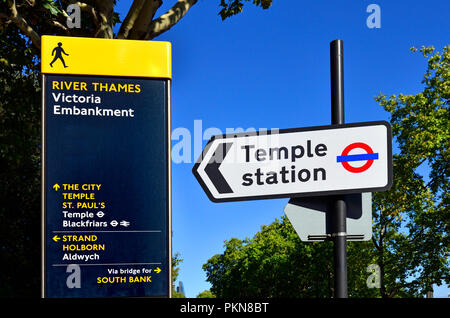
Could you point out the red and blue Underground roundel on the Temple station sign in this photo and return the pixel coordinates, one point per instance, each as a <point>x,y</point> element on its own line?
<point>369,157</point>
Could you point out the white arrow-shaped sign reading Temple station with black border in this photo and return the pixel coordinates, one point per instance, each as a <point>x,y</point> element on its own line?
<point>308,161</point>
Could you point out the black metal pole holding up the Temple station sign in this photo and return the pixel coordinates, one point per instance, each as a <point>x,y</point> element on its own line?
<point>339,209</point>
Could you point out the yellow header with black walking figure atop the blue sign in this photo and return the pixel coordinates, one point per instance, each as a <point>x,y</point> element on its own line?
<point>108,57</point>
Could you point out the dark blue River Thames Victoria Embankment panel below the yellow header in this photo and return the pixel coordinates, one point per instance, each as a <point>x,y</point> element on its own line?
<point>106,187</point>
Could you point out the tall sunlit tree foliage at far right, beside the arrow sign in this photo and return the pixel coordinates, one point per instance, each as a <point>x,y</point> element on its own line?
<point>413,219</point>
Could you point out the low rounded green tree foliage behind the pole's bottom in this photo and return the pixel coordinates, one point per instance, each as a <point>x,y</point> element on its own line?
<point>275,263</point>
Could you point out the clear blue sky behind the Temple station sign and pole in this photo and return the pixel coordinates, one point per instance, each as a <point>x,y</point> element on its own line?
<point>270,69</point>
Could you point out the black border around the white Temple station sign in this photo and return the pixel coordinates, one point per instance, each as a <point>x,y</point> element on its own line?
<point>305,194</point>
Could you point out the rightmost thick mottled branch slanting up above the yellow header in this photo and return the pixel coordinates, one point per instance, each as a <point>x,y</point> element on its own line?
<point>169,19</point>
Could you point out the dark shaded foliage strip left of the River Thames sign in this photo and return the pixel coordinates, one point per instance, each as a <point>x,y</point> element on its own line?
<point>20,132</point>
